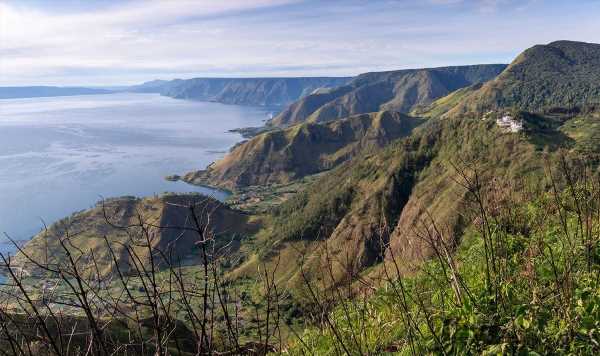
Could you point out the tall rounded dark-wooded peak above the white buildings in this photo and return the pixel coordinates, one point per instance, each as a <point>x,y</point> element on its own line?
<point>562,74</point>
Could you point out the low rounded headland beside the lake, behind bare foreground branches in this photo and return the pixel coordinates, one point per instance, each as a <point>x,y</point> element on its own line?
<point>122,221</point>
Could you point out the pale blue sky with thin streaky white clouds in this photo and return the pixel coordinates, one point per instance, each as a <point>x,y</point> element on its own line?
<point>101,43</point>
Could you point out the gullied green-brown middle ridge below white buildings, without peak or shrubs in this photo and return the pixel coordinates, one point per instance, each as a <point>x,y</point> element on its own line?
<point>411,181</point>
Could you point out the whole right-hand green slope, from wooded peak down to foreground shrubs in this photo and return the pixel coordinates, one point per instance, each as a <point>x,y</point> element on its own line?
<point>484,241</point>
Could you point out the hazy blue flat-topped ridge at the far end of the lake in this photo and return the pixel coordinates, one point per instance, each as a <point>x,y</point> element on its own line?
<point>241,91</point>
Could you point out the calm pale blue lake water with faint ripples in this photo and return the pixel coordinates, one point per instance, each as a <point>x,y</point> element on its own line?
<point>61,155</point>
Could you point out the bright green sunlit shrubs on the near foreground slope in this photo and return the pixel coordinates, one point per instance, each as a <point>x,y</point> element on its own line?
<point>543,296</point>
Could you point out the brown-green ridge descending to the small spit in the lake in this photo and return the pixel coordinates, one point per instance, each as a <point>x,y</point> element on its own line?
<point>284,155</point>
